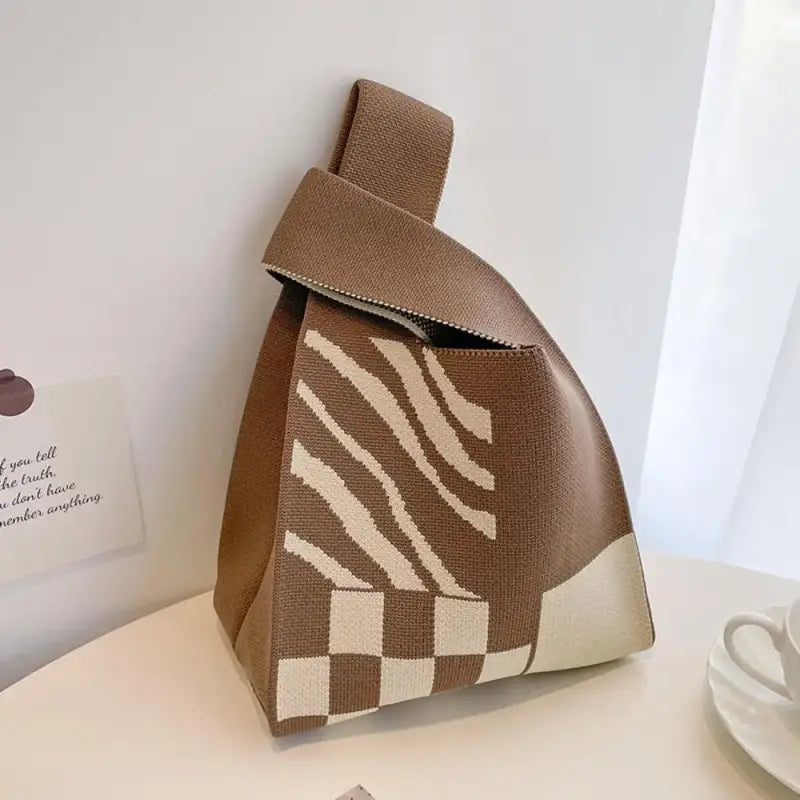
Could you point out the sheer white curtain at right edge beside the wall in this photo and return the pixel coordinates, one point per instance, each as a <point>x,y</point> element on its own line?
<point>721,476</point>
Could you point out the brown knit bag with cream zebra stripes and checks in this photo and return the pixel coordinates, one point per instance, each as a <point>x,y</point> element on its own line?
<point>423,495</point>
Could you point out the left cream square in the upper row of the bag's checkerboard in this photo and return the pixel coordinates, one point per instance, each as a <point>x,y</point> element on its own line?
<point>356,623</point>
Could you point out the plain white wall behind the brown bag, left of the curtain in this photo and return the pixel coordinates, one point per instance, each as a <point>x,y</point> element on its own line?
<point>146,150</point>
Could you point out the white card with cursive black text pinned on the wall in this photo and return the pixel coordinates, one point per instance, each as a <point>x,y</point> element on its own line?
<point>67,482</point>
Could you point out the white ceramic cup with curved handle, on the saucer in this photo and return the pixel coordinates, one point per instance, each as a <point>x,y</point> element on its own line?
<point>786,640</point>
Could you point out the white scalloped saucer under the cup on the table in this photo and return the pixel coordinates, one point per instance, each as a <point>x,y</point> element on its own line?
<point>766,725</point>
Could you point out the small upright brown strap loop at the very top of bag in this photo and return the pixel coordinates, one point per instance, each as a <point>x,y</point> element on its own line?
<point>395,147</point>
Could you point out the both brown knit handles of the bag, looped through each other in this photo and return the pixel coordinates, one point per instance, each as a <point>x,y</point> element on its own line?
<point>363,230</point>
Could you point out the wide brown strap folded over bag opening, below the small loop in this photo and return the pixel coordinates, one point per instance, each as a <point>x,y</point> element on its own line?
<point>335,237</point>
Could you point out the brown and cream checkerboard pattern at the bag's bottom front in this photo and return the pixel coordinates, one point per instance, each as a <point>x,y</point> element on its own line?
<point>386,647</point>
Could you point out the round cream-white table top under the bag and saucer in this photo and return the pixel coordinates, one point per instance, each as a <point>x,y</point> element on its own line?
<point>157,709</point>
